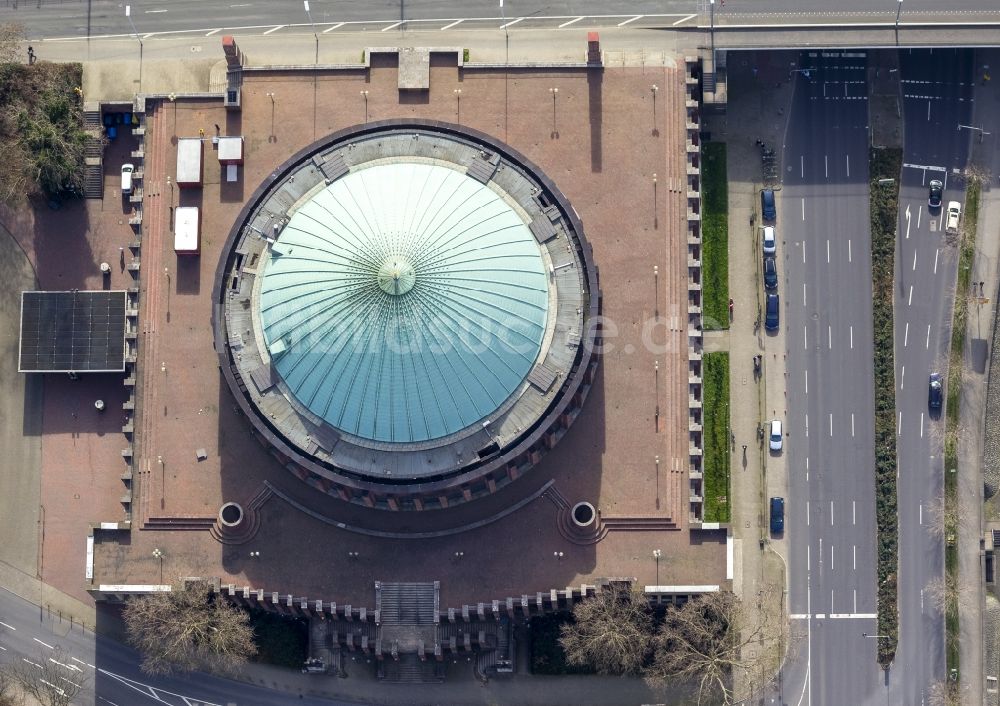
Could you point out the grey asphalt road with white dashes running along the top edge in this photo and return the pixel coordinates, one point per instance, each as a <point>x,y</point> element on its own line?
<point>94,18</point>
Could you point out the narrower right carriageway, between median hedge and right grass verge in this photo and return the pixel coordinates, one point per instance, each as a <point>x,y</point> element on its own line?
<point>937,93</point>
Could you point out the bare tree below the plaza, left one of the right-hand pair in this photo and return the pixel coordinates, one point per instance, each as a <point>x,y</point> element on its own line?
<point>612,632</point>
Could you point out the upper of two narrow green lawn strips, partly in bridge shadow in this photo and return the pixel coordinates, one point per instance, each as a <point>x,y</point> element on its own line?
<point>714,237</point>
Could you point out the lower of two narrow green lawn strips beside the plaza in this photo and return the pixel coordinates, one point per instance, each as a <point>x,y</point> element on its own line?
<point>715,385</point>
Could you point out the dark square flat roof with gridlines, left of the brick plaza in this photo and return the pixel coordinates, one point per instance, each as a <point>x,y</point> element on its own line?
<point>74,331</point>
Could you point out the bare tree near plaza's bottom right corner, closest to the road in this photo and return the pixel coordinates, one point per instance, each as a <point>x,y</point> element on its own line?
<point>727,649</point>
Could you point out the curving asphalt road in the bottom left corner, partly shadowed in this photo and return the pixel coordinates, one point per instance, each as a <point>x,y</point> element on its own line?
<point>109,672</point>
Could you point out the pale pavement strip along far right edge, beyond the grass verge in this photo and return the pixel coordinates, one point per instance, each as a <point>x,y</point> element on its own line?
<point>975,374</point>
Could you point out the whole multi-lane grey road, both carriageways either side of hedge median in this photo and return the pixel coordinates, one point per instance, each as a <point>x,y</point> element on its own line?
<point>823,222</point>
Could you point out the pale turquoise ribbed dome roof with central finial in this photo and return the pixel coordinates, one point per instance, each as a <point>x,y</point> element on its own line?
<point>404,302</point>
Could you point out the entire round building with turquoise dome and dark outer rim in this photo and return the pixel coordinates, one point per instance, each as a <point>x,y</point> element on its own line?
<point>406,314</point>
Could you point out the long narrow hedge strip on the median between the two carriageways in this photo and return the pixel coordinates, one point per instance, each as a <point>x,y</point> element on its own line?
<point>885,164</point>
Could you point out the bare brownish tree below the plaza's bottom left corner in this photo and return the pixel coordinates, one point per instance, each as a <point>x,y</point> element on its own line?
<point>187,629</point>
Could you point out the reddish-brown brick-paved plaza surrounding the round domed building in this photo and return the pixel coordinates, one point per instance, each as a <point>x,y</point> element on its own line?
<point>619,159</point>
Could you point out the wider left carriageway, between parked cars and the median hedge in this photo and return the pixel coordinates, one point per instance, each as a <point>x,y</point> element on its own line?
<point>823,228</point>
